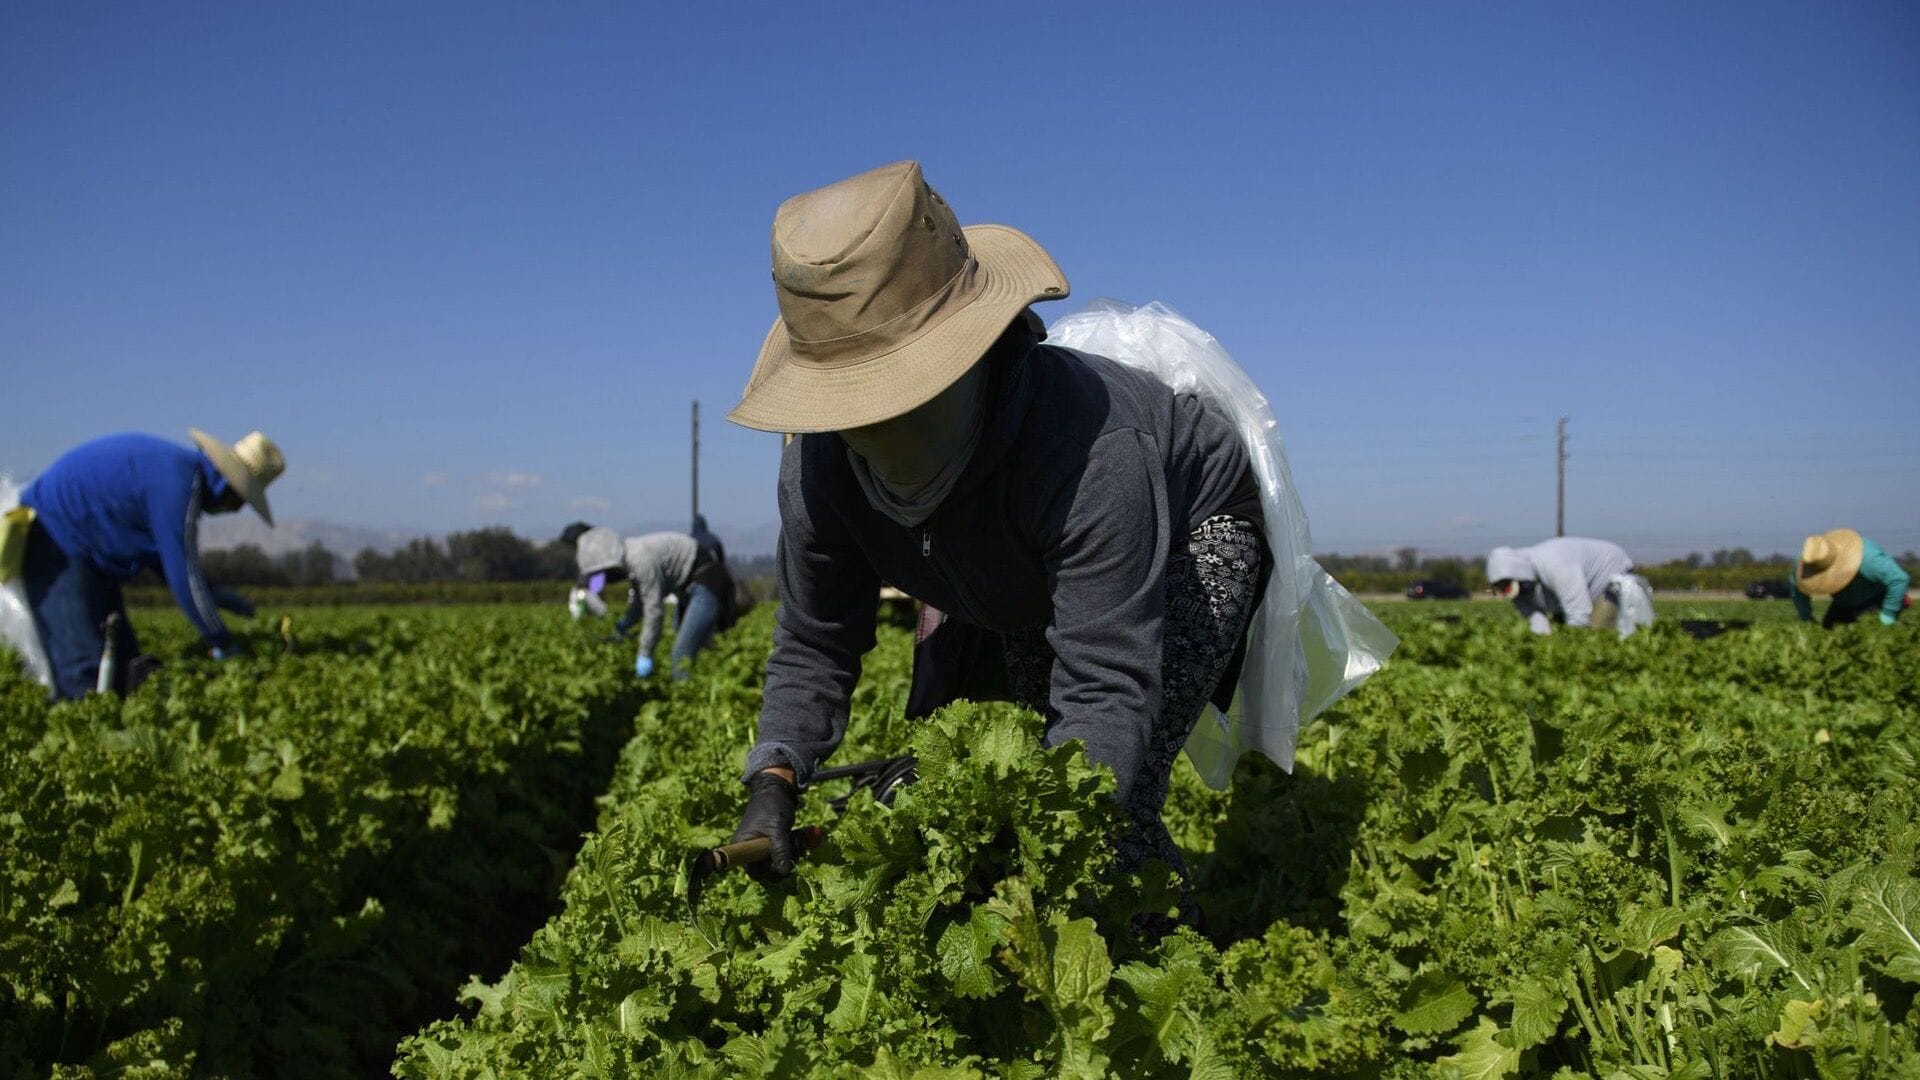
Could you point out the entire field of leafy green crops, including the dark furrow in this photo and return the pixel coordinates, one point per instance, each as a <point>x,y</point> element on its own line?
<point>1500,858</point>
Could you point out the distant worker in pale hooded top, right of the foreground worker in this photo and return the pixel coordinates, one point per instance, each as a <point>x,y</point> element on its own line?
<point>1575,581</point>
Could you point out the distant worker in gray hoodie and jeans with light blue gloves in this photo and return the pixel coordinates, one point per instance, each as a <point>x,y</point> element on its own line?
<point>656,566</point>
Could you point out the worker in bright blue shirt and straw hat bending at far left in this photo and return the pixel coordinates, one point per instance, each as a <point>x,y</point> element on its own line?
<point>120,504</point>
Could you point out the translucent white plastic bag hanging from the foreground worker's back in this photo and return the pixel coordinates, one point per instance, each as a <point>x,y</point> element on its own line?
<point>1310,641</point>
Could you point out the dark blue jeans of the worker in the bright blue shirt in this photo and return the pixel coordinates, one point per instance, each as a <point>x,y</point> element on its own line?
<point>70,604</point>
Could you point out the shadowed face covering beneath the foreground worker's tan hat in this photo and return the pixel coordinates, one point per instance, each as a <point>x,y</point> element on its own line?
<point>907,466</point>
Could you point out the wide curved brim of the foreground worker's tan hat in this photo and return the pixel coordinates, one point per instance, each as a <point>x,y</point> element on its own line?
<point>790,397</point>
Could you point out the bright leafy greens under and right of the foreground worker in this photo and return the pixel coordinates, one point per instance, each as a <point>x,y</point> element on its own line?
<point>1504,856</point>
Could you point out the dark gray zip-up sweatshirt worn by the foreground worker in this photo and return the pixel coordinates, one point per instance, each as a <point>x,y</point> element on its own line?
<point>1086,483</point>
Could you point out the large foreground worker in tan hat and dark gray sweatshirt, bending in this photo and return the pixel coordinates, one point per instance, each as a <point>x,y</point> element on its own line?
<point>1103,526</point>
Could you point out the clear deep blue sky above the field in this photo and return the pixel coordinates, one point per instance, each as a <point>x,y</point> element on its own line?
<point>469,264</point>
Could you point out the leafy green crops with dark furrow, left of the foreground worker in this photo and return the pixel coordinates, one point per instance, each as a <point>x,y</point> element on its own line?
<point>283,864</point>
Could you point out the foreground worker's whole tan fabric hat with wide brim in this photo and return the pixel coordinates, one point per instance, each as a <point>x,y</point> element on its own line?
<point>884,303</point>
